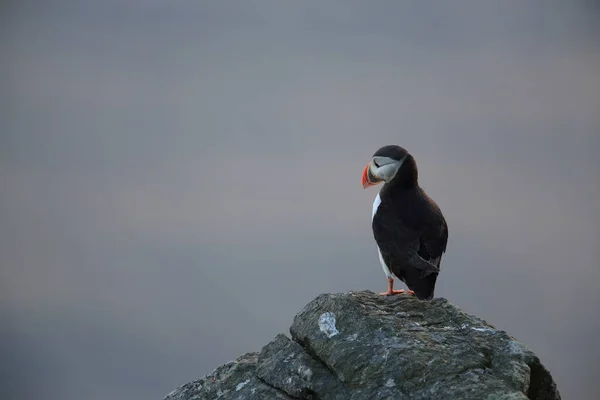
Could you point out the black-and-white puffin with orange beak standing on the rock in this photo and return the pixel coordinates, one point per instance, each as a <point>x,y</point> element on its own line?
<point>408,226</point>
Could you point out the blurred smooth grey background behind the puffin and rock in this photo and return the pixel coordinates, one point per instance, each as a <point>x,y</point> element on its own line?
<point>179,178</point>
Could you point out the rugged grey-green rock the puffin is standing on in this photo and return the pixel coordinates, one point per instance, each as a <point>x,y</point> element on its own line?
<point>361,345</point>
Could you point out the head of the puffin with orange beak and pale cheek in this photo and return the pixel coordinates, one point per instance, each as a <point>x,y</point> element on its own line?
<point>390,163</point>
